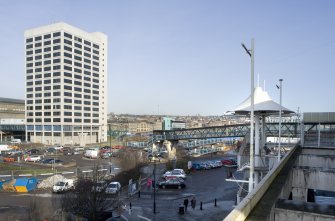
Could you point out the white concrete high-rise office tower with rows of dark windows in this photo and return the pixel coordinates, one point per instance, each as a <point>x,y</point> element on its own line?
<point>66,85</point>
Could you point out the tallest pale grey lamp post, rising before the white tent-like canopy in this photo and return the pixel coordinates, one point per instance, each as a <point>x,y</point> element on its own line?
<point>251,53</point>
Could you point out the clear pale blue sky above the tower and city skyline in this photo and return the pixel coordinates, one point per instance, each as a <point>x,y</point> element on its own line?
<point>185,57</point>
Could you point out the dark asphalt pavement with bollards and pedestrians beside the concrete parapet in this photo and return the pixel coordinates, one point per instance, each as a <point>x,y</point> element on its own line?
<point>205,186</point>
